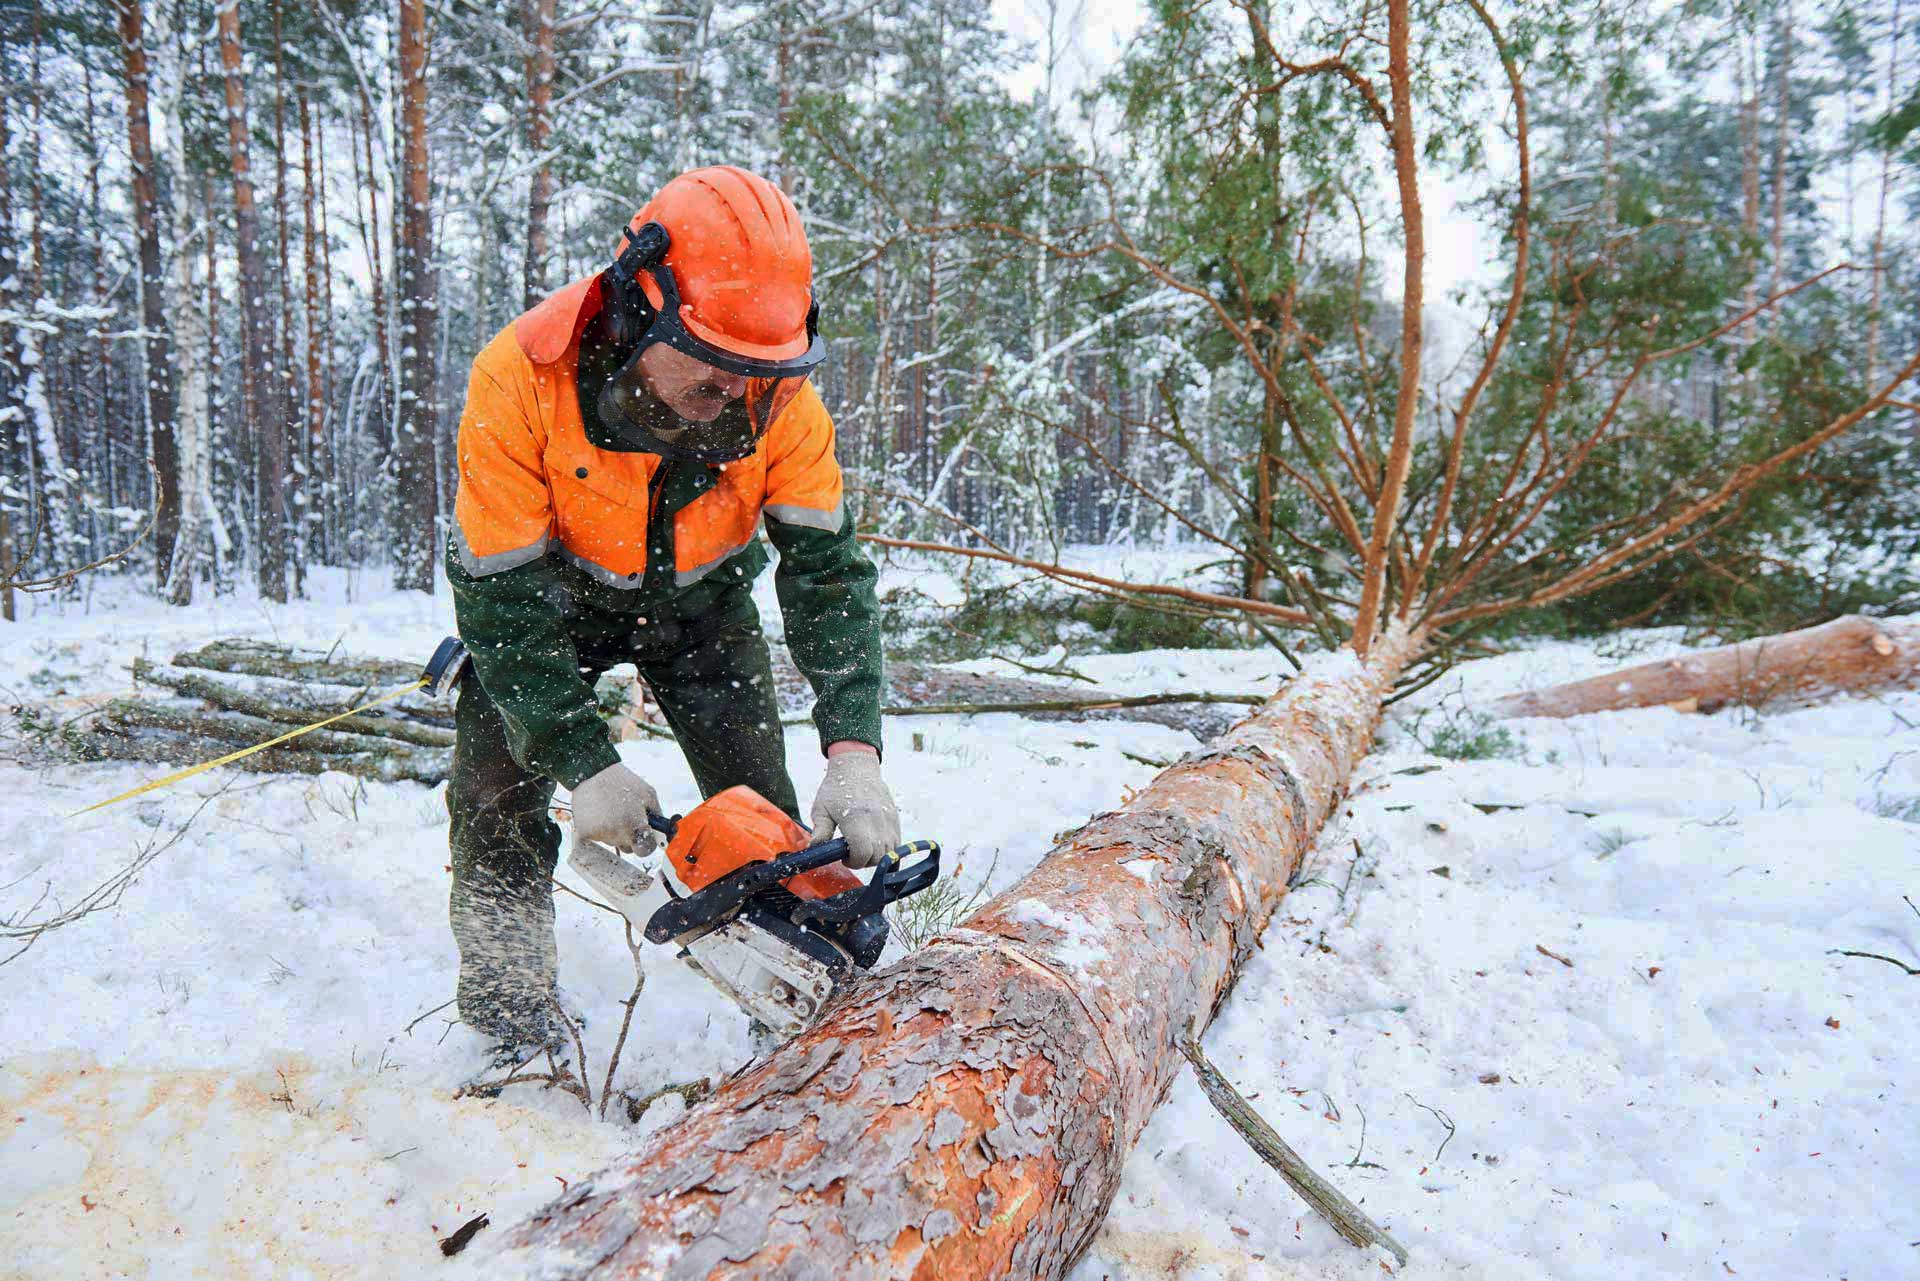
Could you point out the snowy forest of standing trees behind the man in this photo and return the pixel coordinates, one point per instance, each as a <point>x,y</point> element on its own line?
<point>249,251</point>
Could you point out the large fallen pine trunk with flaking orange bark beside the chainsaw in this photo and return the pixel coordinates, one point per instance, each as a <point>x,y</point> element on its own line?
<point>967,1113</point>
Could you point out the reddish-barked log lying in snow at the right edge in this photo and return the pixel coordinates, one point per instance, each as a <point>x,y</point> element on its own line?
<point>1848,656</point>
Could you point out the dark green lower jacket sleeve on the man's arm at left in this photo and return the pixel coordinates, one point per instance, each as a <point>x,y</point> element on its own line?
<point>527,662</point>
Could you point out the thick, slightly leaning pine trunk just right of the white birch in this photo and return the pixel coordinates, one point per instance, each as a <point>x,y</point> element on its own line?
<point>260,375</point>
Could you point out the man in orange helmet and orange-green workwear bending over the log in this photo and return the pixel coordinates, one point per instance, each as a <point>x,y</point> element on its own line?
<point>621,445</point>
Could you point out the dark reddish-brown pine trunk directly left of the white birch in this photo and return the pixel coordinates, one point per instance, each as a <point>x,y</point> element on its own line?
<point>158,358</point>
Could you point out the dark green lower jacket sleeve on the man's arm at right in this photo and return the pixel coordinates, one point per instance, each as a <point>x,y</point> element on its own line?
<point>827,596</point>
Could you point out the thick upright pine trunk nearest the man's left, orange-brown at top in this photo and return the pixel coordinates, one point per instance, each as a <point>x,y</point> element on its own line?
<point>418,508</point>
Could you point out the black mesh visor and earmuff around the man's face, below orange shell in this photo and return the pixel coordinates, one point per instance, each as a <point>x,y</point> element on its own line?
<point>696,402</point>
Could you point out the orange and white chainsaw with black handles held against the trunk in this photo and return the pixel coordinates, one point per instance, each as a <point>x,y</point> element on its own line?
<point>769,919</point>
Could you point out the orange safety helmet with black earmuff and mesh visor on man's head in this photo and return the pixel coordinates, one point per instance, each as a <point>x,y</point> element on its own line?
<point>717,268</point>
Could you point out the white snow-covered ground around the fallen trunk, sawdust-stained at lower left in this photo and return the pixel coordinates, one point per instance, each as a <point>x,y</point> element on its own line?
<point>231,1075</point>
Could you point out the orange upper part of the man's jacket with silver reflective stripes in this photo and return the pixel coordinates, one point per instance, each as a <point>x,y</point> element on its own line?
<point>533,483</point>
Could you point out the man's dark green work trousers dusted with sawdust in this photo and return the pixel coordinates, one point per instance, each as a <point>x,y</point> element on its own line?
<point>713,681</point>
